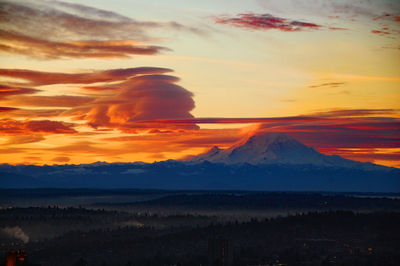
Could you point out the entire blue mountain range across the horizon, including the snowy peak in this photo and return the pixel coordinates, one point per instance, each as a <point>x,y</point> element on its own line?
<point>273,161</point>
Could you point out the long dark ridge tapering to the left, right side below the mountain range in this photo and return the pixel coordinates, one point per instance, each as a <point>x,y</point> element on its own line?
<point>274,200</point>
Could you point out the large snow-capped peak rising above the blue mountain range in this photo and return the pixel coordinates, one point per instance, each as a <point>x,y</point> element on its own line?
<point>273,148</point>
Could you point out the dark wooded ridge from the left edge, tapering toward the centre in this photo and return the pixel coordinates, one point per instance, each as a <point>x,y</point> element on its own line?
<point>44,223</point>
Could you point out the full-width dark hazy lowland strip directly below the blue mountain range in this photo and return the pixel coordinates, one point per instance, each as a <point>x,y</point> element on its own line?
<point>135,198</point>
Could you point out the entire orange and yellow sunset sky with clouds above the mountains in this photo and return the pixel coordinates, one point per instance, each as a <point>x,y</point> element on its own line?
<point>130,80</point>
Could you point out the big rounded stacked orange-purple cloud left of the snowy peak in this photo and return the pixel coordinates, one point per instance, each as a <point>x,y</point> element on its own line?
<point>147,97</point>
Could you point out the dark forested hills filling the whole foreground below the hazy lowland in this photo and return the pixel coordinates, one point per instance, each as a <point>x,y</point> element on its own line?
<point>141,234</point>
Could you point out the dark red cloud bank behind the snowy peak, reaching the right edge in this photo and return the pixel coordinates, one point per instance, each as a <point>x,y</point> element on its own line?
<point>343,132</point>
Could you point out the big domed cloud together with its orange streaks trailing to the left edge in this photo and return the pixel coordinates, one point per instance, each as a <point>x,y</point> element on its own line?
<point>122,98</point>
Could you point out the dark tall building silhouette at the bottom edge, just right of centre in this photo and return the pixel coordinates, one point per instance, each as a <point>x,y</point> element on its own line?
<point>220,252</point>
